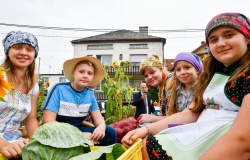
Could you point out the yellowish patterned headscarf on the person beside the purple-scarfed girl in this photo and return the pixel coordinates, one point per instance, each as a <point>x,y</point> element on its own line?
<point>152,61</point>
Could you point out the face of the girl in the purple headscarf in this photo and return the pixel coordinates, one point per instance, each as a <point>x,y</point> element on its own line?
<point>186,73</point>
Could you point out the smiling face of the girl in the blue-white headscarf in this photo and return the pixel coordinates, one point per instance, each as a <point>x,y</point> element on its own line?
<point>21,55</point>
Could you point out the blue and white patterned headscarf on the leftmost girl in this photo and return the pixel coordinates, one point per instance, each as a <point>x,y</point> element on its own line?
<point>18,37</point>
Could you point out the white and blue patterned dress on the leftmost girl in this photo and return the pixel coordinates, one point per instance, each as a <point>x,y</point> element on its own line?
<point>13,111</point>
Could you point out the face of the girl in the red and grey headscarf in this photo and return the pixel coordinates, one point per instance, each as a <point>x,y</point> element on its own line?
<point>227,45</point>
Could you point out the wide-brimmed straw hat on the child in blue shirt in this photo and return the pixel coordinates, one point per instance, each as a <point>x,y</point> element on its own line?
<point>69,66</point>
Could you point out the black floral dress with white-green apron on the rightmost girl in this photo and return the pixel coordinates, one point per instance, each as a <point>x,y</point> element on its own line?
<point>222,100</point>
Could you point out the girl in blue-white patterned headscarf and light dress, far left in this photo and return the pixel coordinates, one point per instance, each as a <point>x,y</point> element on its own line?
<point>21,50</point>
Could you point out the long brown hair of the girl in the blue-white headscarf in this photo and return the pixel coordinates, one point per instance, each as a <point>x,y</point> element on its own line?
<point>30,73</point>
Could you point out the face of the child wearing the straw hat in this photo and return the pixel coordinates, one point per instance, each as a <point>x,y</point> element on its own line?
<point>83,75</point>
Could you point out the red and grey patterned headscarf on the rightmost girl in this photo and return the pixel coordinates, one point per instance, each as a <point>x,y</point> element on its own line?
<point>234,20</point>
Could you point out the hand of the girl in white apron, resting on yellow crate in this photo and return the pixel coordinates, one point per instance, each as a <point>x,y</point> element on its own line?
<point>131,136</point>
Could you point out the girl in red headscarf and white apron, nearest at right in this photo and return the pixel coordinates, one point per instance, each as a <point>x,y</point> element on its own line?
<point>217,121</point>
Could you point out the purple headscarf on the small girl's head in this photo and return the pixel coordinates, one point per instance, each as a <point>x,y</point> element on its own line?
<point>191,58</point>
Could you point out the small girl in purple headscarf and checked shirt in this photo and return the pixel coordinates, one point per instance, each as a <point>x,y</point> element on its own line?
<point>187,68</point>
